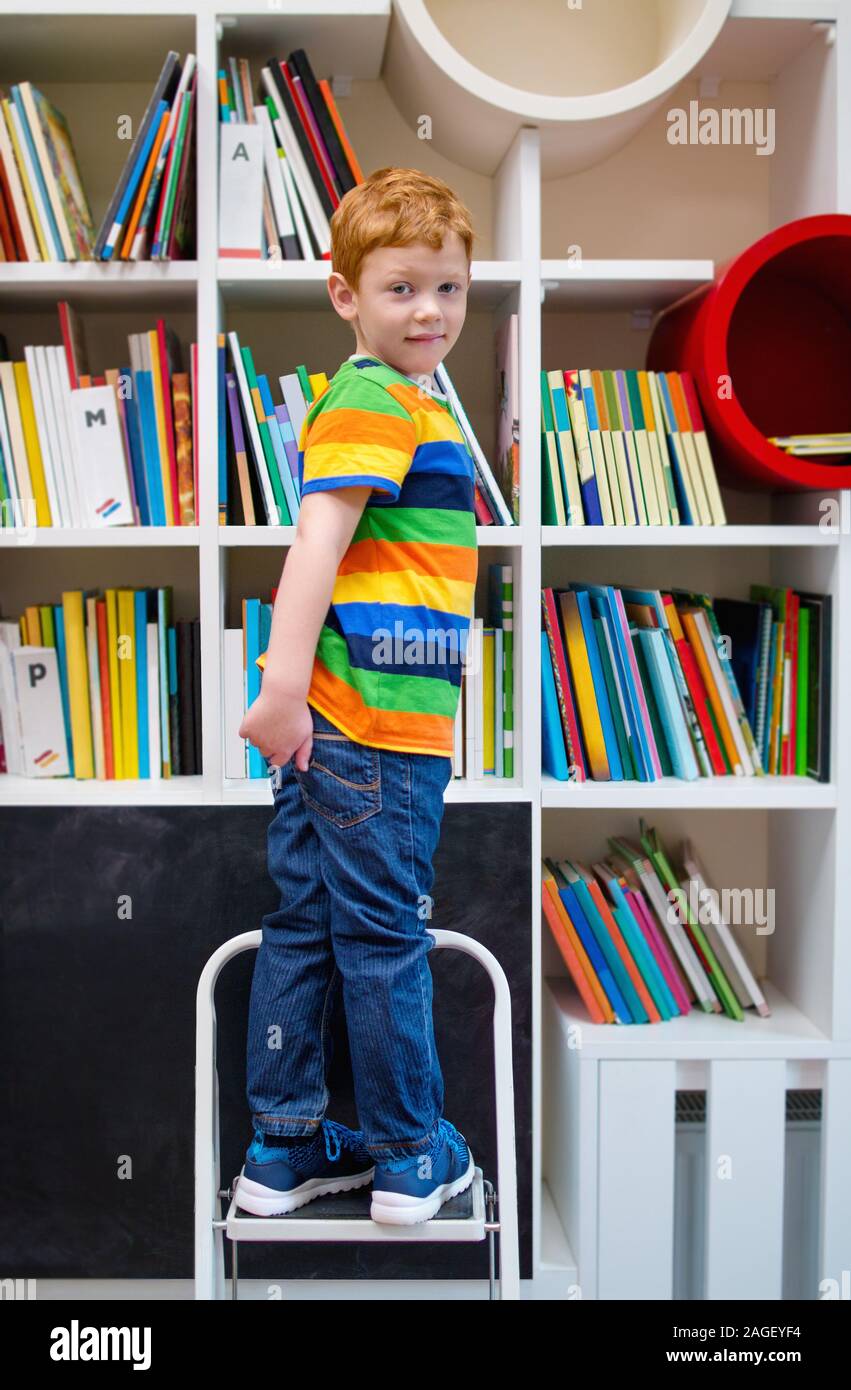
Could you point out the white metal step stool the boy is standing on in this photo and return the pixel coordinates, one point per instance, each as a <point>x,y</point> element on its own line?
<point>346,1216</point>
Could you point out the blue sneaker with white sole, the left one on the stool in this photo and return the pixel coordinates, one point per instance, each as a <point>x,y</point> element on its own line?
<point>279,1181</point>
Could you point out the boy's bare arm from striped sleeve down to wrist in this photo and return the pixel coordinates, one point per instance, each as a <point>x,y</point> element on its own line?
<point>326,526</point>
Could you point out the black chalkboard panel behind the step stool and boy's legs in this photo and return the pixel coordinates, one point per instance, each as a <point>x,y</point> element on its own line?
<point>99,1032</point>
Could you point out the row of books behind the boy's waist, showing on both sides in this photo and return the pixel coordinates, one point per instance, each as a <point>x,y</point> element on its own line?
<point>485,723</point>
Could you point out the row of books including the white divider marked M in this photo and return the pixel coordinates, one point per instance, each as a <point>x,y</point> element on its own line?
<point>98,451</point>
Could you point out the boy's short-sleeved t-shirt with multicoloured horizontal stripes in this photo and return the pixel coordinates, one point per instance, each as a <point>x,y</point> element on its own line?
<point>389,661</point>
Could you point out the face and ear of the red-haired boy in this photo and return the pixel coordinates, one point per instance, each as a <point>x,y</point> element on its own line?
<point>411,305</point>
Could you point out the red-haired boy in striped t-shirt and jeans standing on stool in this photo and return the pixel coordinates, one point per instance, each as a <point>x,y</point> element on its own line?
<point>357,712</point>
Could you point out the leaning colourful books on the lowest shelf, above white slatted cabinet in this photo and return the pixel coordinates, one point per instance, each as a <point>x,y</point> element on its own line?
<point>645,945</point>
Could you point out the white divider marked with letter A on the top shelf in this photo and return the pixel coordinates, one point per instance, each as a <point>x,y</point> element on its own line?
<point>240,191</point>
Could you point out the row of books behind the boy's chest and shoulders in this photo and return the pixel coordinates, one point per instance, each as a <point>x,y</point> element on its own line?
<point>259,443</point>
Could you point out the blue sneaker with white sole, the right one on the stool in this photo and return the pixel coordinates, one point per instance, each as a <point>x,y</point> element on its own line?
<point>407,1192</point>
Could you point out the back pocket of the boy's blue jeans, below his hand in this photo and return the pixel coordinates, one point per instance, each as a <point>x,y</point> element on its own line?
<point>343,782</point>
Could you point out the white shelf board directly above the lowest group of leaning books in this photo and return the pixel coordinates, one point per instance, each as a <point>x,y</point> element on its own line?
<point>707,793</point>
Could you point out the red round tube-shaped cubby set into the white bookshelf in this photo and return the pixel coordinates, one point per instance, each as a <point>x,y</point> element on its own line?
<point>770,348</point>
